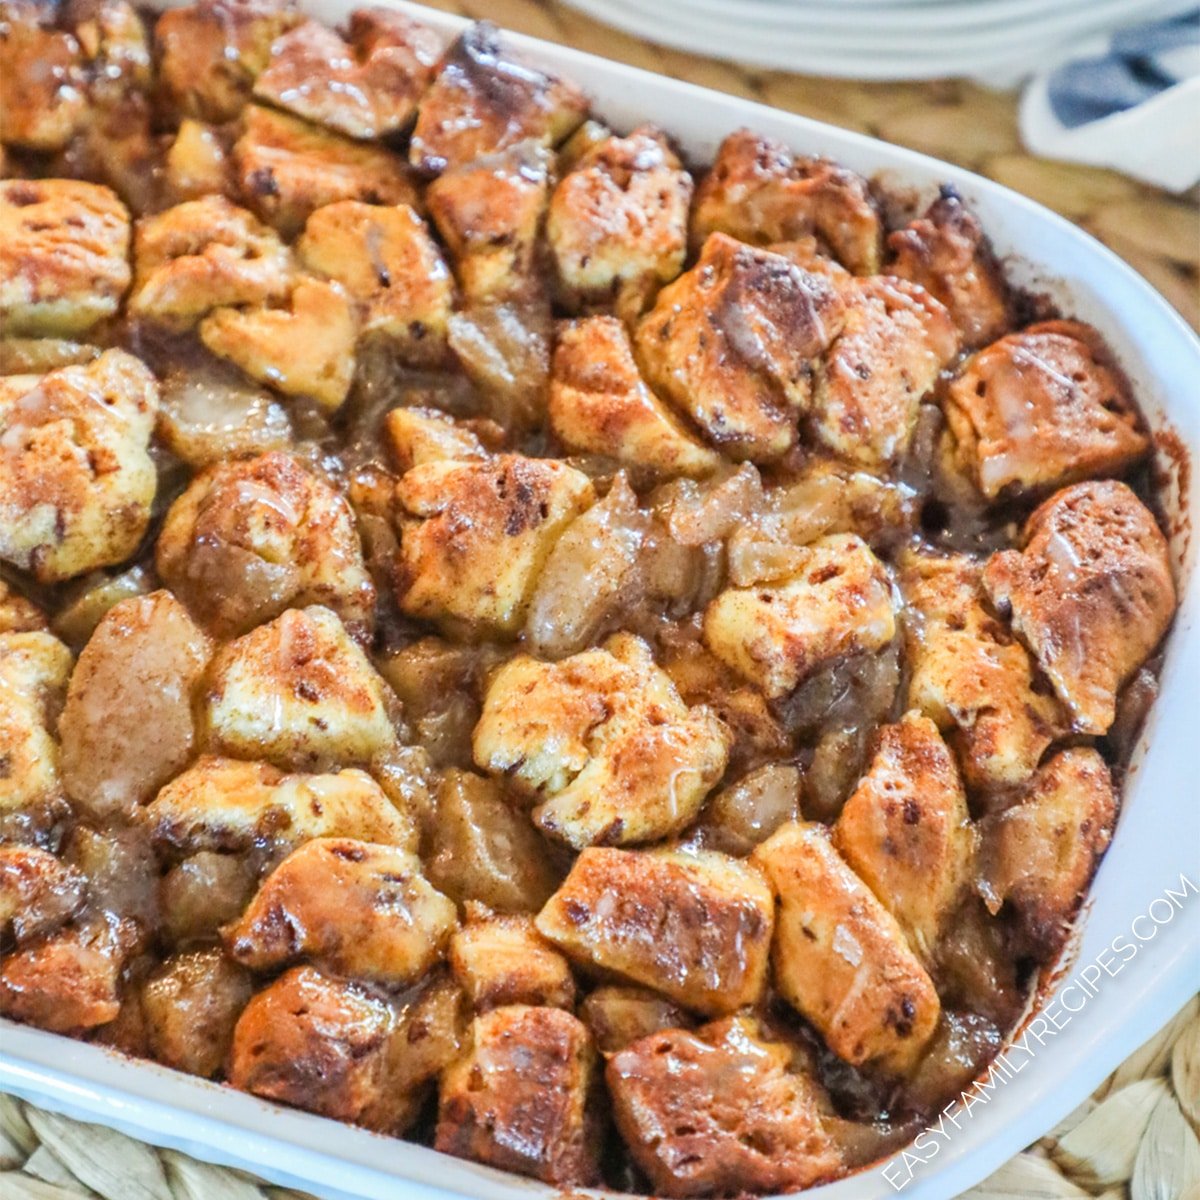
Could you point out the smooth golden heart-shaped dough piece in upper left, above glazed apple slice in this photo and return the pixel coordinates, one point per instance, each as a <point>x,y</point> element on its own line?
<point>303,350</point>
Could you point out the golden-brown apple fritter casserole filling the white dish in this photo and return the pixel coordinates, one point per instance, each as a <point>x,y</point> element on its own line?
<point>613,668</point>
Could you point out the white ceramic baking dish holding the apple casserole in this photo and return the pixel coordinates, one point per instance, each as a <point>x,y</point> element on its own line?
<point>1107,1001</point>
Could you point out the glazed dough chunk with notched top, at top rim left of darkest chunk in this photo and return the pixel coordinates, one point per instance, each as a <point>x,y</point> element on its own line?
<point>365,86</point>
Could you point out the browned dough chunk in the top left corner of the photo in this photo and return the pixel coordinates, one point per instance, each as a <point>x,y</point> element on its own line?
<point>43,94</point>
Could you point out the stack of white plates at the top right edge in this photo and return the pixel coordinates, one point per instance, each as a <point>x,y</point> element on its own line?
<point>880,39</point>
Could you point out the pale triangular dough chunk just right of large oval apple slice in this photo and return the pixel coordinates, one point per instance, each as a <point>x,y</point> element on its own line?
<point>298,693</point>
